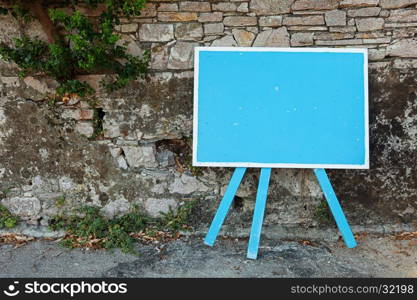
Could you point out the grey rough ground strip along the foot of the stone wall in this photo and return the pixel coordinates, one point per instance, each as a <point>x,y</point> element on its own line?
<point>189,257</point>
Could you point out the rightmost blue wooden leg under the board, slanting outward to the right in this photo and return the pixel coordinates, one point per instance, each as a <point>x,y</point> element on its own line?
<point>335,208</point>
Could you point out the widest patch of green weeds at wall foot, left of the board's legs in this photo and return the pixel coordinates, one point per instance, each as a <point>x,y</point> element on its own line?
<point>87,227</point>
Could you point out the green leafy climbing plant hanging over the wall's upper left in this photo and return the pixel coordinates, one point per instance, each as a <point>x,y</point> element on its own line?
<point>77,44</point>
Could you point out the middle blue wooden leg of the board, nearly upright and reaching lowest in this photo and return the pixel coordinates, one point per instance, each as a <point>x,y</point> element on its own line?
<point>258,214</point>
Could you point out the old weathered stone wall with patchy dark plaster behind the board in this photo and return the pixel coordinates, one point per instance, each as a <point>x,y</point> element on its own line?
<point>48,164</point>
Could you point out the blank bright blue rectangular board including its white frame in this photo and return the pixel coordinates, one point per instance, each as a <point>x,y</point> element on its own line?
<point>281,107</point>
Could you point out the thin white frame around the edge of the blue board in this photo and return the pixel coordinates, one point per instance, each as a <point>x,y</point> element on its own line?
<point>197,50</point>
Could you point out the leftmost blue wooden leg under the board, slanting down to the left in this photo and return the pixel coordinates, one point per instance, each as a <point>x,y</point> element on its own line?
<point>224,206</point>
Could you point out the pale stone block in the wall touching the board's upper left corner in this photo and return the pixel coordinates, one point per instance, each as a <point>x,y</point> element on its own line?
<point>182,56</point>
